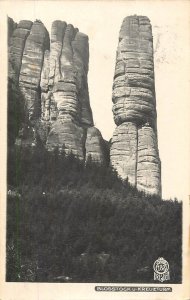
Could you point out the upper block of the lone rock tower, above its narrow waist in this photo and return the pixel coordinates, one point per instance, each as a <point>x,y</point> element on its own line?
<point>133,88</point>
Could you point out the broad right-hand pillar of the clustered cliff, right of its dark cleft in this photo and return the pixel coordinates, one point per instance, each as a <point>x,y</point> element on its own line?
<point>65,98</point>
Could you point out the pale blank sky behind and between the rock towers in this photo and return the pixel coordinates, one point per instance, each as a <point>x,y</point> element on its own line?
<point>101,21</point>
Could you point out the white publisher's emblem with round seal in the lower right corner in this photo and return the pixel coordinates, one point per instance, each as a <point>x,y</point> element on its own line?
<point>161,269</point>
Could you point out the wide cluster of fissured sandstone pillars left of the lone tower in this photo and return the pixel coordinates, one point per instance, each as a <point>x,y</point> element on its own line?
<point>51,73</point>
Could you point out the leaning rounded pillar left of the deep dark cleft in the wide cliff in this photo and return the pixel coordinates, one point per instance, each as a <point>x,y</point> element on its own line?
<point>32,59</point>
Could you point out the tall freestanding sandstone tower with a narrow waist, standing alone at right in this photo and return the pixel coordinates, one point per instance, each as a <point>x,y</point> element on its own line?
<point>134,150</point>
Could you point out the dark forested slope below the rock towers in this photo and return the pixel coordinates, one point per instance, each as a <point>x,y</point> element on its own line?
<point>67,222</point>
